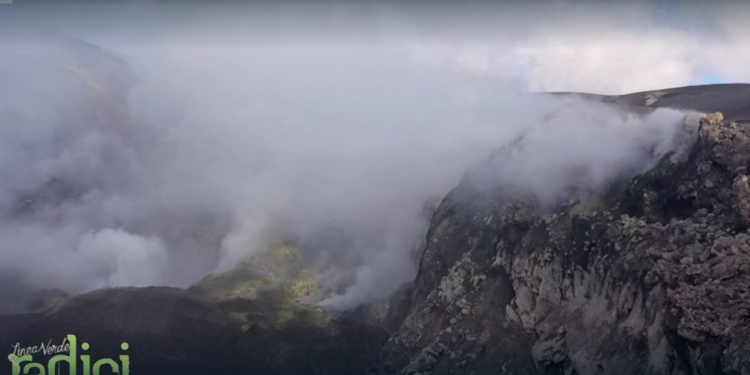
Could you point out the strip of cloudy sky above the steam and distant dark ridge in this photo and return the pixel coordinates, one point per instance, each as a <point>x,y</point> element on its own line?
<point>601,47</point>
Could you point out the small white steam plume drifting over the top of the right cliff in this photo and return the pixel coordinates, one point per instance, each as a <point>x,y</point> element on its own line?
<point>584,147</point>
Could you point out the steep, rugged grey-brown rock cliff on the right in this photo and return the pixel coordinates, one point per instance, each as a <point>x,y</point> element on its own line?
<point>653,279</point>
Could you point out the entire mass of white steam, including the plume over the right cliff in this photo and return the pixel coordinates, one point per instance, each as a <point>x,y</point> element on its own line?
<point>221,150</point>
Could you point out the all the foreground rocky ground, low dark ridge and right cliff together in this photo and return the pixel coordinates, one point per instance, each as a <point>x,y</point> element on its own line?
<point>651,277</point>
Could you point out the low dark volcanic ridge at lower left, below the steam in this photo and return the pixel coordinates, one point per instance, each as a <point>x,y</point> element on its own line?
<point>172,331</point>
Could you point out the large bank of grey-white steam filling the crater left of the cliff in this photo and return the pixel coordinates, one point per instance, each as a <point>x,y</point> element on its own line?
<point>194,172</point>
